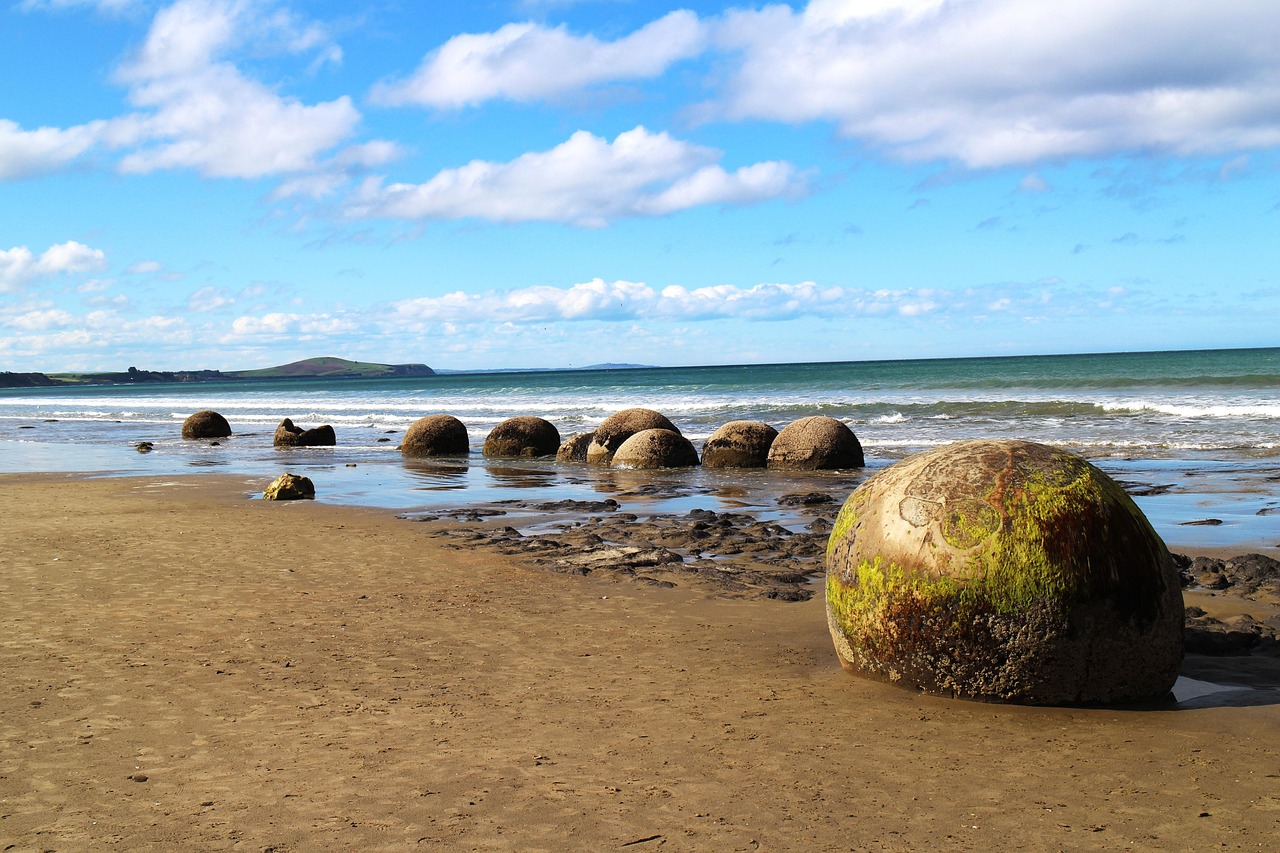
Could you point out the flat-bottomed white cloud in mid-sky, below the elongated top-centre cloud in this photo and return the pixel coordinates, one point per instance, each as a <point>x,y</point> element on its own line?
<point>586,181</point>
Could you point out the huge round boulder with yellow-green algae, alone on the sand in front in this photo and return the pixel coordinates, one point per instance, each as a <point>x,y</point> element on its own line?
<point>1007,572</point>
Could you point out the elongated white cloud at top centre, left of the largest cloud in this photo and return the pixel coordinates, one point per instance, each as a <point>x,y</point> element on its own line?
<point>525,62</point>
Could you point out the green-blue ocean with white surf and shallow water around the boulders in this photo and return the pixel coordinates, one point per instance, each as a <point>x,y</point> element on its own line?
<point>1195,434</point>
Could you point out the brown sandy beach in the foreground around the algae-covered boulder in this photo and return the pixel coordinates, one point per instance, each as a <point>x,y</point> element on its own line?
<point>185,669</point>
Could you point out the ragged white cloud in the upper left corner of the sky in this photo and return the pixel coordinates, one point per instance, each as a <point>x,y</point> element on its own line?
<point>195,110</point>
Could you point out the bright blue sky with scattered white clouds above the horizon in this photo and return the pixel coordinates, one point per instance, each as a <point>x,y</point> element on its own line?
<point>516,184</point>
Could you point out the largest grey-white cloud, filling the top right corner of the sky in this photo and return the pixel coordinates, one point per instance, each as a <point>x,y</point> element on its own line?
<point>1000,83</point>
